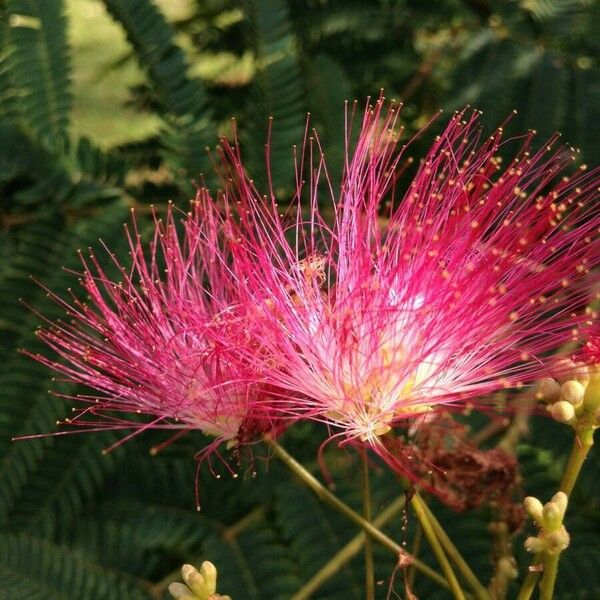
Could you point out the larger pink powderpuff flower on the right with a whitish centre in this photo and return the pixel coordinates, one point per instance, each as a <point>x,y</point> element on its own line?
<point>400,304</point>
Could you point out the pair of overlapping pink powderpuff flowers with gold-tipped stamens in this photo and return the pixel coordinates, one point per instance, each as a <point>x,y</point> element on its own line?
<point>365,306</point>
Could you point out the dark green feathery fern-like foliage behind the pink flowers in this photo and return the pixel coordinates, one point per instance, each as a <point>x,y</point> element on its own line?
<point>76,523</point>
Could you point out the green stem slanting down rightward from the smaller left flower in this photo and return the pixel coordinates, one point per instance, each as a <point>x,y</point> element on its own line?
<point>326,496</point>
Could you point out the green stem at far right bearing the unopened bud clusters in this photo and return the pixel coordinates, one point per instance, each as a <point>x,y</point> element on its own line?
<point>579,451</point>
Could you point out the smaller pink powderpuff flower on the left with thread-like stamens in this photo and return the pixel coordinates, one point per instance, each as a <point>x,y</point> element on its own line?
<point>155,343</point>
